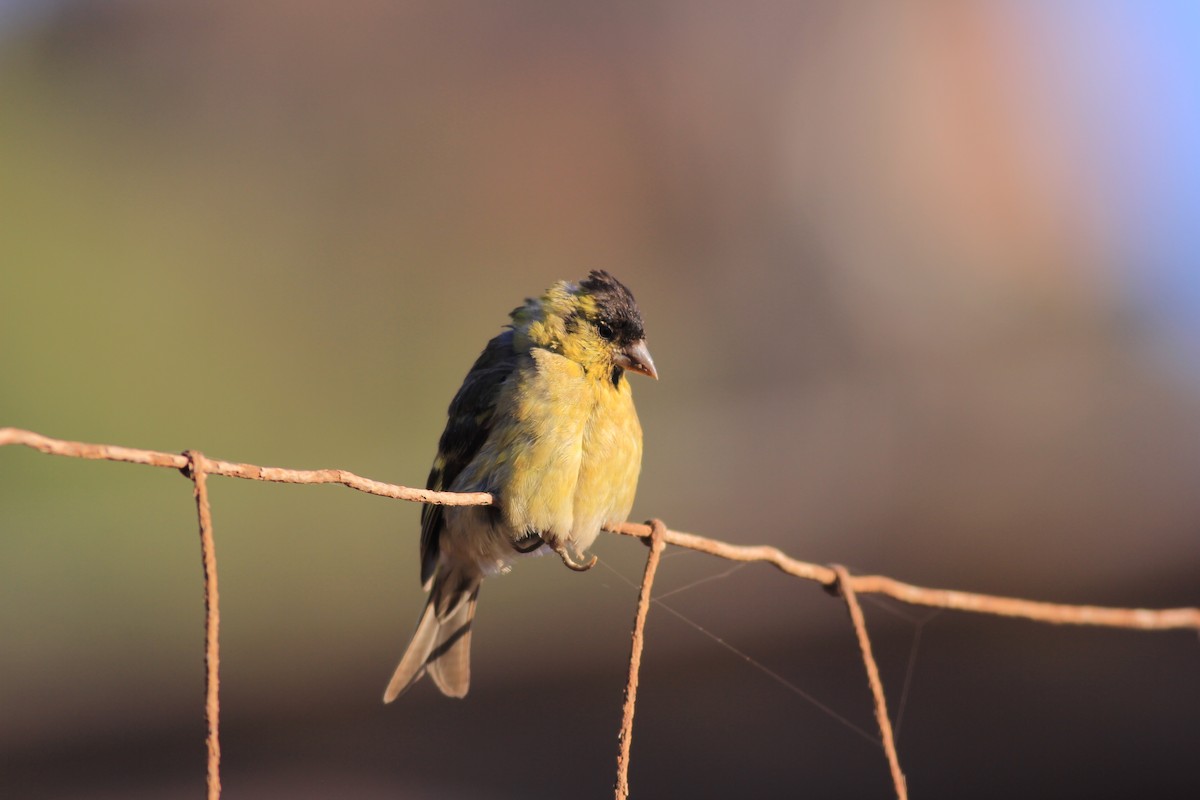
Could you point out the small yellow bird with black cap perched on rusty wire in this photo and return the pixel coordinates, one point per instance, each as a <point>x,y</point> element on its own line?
<point>545,423</point>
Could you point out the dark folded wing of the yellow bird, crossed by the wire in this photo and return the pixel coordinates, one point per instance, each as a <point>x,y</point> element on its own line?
<point>472,414</point>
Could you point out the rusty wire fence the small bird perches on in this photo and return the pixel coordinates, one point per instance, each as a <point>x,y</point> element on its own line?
<point>196,467</point>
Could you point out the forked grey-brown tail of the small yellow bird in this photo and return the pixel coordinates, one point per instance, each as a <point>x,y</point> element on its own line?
<point>442,642</point>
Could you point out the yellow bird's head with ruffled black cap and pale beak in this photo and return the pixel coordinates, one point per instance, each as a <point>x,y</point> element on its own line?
<point>595,323</point>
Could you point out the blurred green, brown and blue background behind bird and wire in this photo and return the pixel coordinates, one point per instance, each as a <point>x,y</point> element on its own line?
<point>921,281</point>
